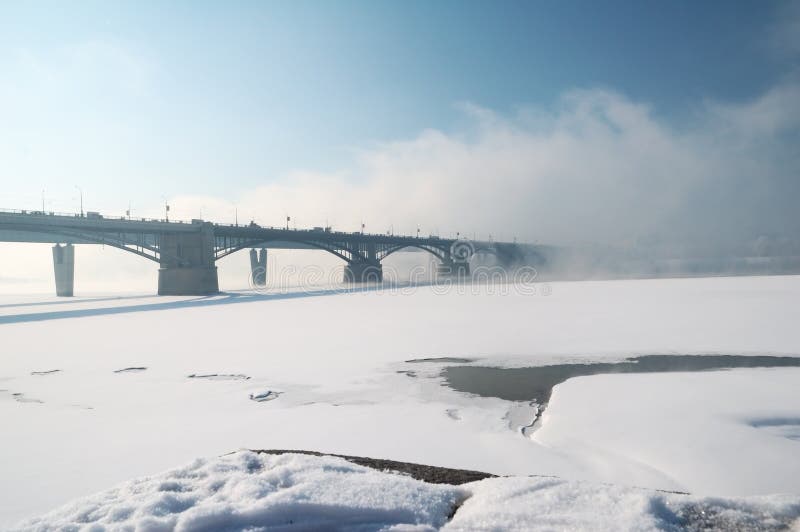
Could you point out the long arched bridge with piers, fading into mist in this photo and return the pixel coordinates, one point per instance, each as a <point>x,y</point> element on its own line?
<point>186,252</point>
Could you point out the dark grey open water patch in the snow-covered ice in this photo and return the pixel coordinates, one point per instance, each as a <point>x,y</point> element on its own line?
<point>536,383</point>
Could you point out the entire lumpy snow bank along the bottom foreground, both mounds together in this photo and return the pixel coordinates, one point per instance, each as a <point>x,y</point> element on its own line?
<point>253,491</point>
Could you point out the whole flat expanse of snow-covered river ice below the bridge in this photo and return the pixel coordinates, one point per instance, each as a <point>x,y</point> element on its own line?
<point>336,358</point>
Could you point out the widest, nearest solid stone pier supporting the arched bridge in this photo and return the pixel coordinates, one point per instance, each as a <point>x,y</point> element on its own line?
<point>187,263</point>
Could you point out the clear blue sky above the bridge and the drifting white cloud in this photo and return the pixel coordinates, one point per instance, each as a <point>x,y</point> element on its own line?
<point>135,101</point>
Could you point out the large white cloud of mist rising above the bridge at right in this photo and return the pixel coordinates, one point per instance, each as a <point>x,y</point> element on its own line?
<point>597,167</point>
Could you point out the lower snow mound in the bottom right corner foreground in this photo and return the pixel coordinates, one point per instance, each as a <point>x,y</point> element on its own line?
<point>547,503</point>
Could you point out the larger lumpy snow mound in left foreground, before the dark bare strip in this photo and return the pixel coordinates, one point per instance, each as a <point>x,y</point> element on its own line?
<point>249,491</point>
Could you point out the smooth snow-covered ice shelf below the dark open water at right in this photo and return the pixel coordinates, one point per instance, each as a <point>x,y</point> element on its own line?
<point>699,431</point>
